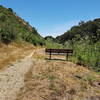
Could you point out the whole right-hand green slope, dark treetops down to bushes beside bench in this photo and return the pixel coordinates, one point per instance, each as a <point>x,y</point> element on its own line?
<point>84,39</point>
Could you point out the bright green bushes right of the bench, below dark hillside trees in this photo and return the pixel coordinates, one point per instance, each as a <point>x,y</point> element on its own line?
<point>85,54</point>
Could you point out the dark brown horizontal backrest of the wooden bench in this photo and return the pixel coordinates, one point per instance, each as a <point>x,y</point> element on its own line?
<point>59,50</point>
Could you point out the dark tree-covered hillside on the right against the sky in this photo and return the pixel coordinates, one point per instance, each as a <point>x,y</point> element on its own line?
<point>84,31</point>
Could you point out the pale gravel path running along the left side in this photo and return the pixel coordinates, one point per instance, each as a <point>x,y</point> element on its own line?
<point>12,78</point>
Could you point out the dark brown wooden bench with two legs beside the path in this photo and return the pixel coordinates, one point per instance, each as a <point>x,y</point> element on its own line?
<point>66,52</point>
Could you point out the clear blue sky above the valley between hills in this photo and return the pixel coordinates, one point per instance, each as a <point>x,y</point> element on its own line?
<point>54,17</point>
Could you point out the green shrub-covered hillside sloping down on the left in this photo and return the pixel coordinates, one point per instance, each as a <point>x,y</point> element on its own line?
<point>13,28</point>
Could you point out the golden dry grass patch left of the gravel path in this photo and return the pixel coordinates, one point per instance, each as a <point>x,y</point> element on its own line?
<point>11,53</point>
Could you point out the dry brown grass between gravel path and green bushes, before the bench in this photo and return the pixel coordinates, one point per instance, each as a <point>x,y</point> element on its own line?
<point>59,80</point>
